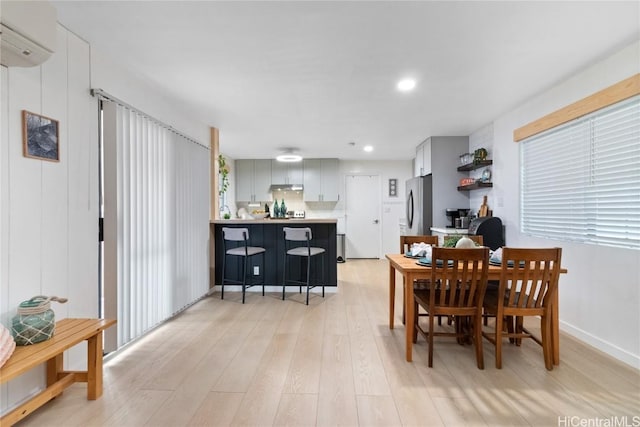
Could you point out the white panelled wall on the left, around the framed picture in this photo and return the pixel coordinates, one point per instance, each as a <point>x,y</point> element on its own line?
<point>49,210</point>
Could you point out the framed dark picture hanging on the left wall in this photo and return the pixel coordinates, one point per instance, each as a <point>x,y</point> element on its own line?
<point>40,137</point>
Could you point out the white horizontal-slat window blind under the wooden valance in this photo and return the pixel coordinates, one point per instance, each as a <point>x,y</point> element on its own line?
<point>581,181</point>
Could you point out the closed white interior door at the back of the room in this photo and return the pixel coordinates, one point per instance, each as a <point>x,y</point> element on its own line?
<point>362,216</point>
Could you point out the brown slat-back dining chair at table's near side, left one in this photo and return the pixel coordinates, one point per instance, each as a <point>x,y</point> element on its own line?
<point>456,289</point>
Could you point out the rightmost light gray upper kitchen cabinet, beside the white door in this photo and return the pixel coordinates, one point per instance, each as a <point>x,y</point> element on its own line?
<point>321,180</point>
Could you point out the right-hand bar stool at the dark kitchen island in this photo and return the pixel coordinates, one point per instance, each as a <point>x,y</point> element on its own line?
<point>301,235</point>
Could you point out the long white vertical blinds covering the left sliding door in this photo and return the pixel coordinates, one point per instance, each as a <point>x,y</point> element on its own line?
<point>161,206</point>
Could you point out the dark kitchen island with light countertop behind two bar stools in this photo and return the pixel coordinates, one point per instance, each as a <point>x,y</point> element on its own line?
<point>268,234</point>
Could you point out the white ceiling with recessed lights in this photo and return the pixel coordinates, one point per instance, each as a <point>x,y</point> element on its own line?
<point>318,74</point>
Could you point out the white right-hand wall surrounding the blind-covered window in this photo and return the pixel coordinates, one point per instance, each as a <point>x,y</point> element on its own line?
<point>600,295</point>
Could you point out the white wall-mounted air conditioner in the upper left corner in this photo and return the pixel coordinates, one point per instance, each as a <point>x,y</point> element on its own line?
<point>28,33</point>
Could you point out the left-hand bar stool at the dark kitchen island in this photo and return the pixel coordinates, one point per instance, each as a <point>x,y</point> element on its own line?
<point>241,248</point>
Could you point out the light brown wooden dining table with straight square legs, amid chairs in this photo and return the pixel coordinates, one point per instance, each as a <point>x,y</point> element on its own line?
<point>411,271</point>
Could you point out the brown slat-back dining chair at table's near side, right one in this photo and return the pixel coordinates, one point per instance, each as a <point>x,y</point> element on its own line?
<point>528,283</point>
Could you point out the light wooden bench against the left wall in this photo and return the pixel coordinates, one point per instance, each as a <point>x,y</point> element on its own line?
<point>68,333</point>
